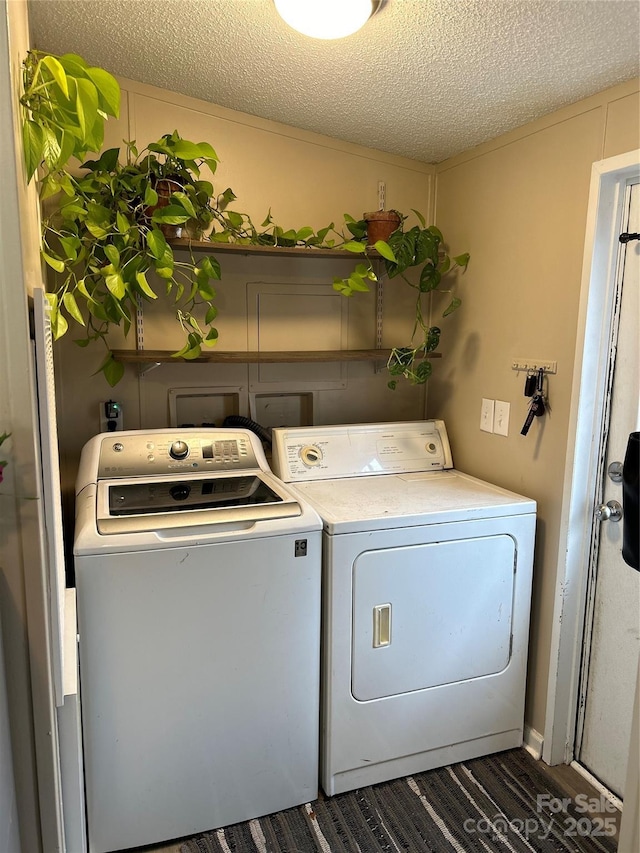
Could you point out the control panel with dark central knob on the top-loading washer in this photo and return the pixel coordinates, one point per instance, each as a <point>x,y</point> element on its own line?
<point>138,454</point>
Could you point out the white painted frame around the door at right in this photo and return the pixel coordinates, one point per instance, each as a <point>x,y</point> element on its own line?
<point>609,181</point>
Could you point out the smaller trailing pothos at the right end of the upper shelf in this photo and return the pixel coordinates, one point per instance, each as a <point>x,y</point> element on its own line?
<point>420,247</point>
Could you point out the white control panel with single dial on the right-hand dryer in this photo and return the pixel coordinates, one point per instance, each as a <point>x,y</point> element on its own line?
<point>357,450</point>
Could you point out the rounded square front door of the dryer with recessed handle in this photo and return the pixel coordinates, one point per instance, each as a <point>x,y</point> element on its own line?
<point>431,614</point>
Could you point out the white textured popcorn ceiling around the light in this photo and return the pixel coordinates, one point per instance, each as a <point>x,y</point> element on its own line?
<point>424,78</point>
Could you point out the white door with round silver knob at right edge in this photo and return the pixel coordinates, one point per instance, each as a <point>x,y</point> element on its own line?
<point>612,632</point>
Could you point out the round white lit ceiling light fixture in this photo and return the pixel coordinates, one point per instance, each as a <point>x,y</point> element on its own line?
<point>326,19</point>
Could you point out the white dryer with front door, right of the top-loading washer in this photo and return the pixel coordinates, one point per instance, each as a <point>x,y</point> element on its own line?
<point>426,599</point>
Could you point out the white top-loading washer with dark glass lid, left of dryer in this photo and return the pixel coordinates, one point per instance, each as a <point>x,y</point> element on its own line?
<point>198,593</point>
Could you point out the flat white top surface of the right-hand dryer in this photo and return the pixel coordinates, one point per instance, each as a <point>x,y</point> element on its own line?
<point>402,500</point>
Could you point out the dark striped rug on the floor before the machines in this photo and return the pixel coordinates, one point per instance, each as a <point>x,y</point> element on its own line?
<point>504,803</point>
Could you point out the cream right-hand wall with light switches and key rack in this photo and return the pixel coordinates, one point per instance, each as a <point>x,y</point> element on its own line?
<point>518,204</point>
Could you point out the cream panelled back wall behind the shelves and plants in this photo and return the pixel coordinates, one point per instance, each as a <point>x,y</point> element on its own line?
<point>306,179</point>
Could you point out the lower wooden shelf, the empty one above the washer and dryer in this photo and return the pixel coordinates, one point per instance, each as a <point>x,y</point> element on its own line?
<point>219,357</point>
